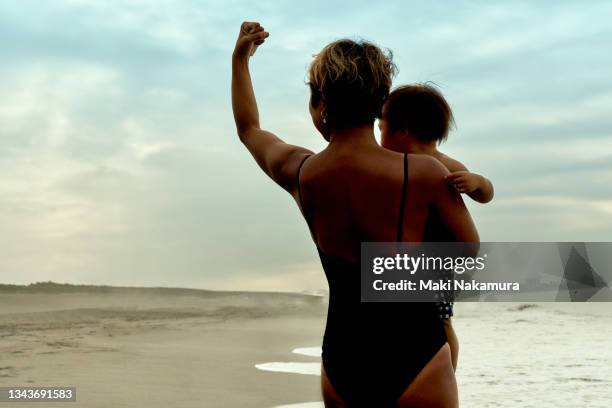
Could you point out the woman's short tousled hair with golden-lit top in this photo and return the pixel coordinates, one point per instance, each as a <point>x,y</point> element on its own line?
<point>354,77</point>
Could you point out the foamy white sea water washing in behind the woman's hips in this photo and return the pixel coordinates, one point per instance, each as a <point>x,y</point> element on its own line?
<point>517,355</point>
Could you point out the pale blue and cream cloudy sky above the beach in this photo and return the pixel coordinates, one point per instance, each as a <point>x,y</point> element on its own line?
<point>120,165</point>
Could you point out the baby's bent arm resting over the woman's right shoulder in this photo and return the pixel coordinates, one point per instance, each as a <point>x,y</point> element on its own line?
<point>478,187</point>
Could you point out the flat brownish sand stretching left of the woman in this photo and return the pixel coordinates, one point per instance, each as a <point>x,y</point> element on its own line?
<point>124,347</point>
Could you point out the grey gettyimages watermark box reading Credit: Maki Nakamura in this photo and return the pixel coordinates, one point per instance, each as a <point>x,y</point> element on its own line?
<point>491,271</point>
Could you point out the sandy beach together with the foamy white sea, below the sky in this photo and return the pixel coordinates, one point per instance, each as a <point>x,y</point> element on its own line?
<point>150,347</point>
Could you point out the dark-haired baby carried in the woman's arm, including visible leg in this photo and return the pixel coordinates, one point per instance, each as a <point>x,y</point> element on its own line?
<point>416,119</point>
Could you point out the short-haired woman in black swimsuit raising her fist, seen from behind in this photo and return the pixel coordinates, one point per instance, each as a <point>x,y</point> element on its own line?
<point>374,354</point>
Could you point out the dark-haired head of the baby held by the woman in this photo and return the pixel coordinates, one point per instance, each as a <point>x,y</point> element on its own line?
<point>415,114</point>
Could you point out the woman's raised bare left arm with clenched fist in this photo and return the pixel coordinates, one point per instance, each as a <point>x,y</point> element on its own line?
<point>277,159</point>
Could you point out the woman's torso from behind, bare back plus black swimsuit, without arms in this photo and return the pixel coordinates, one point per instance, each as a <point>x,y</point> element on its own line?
<point>351,195</point>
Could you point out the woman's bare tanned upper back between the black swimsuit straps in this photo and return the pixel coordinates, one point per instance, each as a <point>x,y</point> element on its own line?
<point>353,194</point>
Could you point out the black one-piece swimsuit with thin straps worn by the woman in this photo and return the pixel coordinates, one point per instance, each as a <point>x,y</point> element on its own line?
<point>373,351</point>
